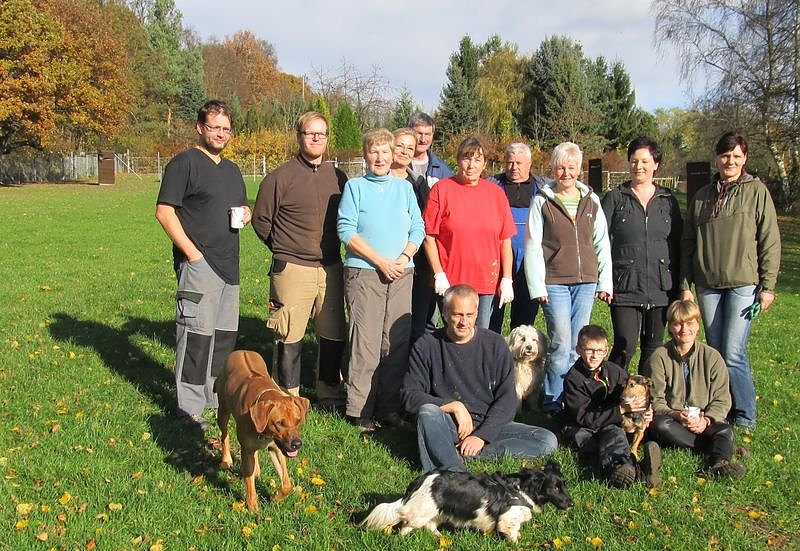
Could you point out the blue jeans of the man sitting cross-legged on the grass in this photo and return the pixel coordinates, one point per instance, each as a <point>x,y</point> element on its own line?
<point>437,437</point>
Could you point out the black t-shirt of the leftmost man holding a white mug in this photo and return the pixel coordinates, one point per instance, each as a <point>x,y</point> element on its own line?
<point>202,193</point>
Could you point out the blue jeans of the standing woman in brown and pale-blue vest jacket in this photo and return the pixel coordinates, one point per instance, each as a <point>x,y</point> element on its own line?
<point>567,310</point>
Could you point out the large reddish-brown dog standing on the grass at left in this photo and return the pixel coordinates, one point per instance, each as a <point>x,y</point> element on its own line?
<point>266,417</point>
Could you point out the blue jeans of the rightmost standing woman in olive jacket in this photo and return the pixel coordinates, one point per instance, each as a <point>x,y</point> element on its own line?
<point>727,330</point>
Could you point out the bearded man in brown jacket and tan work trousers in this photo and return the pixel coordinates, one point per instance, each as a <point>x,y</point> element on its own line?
<point>295,216</point>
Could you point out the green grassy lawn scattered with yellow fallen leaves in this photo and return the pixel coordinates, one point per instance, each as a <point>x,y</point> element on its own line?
<point>92,457</point>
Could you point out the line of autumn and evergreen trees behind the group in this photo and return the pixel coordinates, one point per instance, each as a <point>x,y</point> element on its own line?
<point>128,74</point>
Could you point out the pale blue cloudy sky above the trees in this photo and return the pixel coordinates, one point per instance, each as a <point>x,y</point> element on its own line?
<point>411,41</point>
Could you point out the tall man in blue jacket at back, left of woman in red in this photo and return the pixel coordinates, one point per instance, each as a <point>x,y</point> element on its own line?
<point>425,162</point>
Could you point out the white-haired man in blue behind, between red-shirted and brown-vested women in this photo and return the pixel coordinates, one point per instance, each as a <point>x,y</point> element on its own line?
<point>520,187</point>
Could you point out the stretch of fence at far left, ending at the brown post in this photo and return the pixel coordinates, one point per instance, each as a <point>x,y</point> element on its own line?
<point>26,167</point>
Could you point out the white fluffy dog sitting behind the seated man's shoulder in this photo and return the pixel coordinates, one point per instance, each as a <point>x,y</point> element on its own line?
<point>529,348</point>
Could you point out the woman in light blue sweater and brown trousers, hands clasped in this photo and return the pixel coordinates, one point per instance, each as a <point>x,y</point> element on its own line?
<point>381,227</point>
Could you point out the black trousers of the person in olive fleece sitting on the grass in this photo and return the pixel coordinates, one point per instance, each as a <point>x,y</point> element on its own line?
<point>716,441</point>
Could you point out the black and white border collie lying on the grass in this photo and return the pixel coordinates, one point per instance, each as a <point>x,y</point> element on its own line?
<point>486,502</point>
